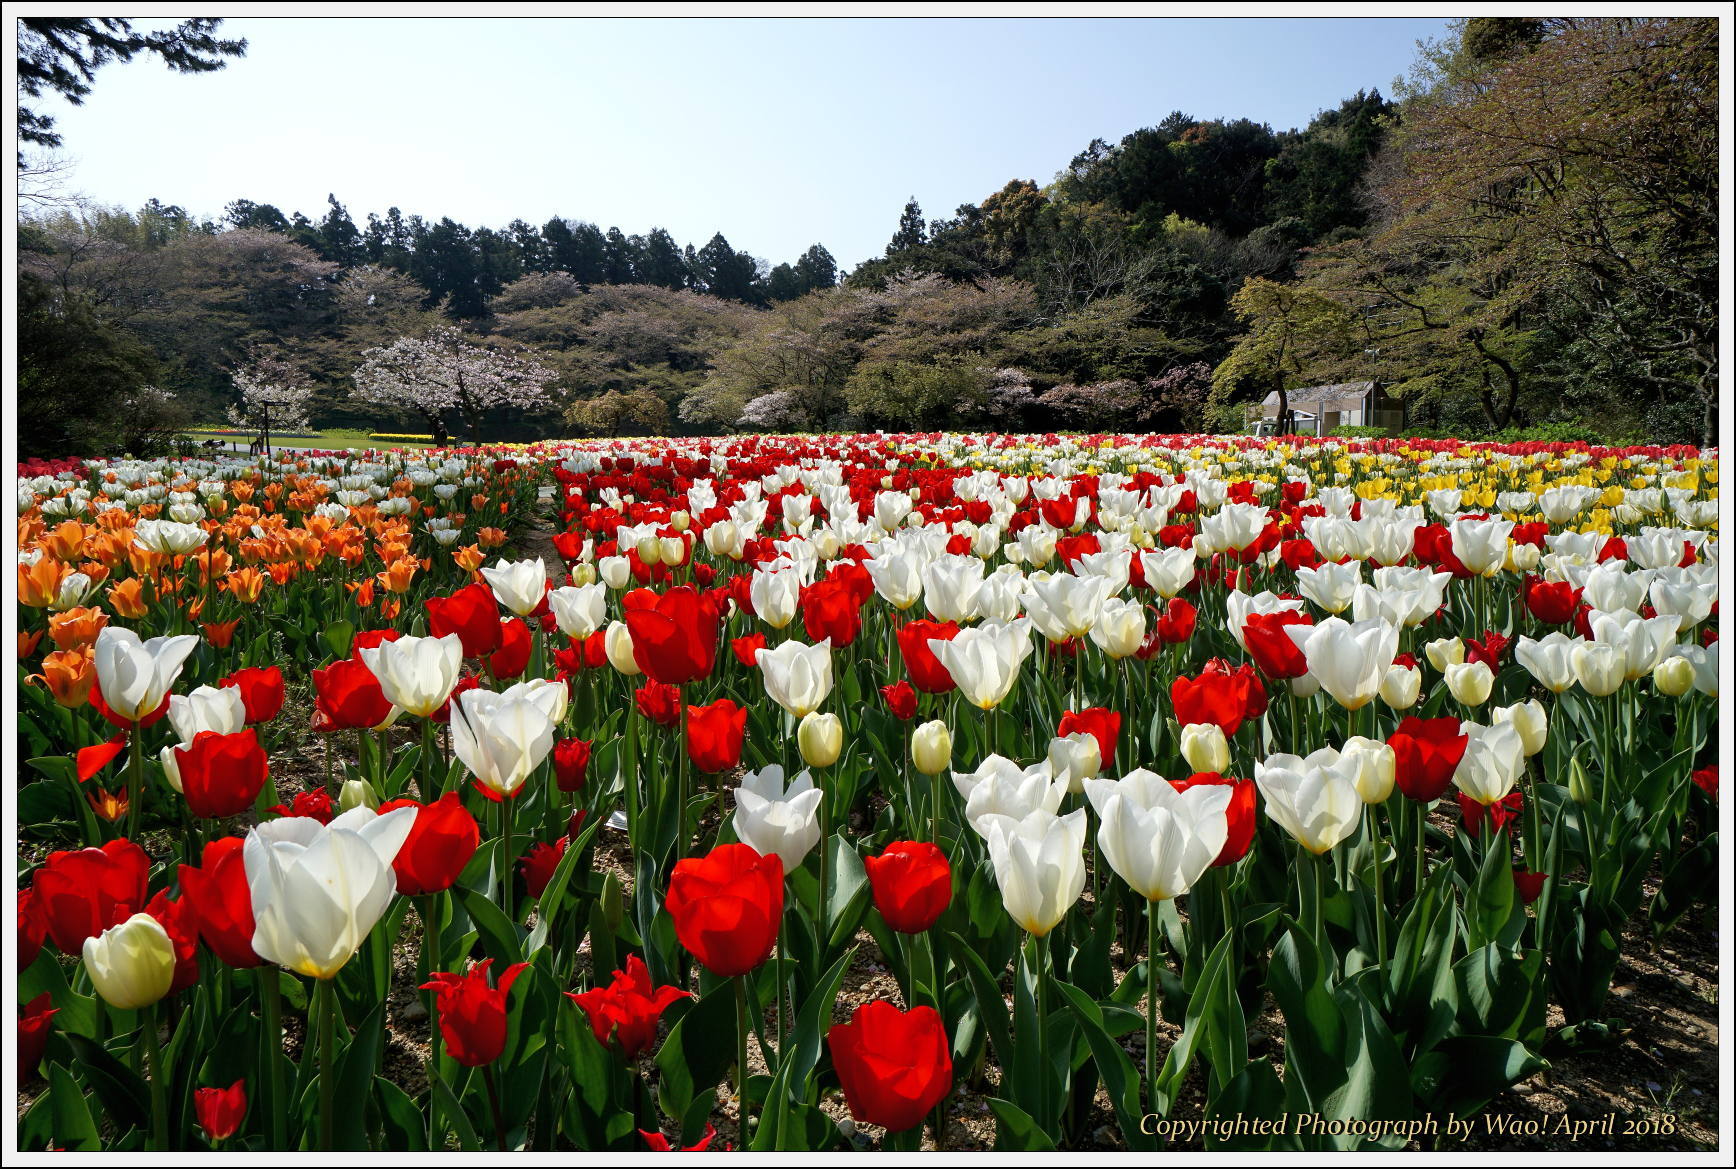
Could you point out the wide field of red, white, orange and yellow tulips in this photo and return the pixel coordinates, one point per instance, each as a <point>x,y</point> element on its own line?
<point>560,796</point>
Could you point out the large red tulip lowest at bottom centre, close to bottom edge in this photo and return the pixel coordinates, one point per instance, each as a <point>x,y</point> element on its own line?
<point>895,1066</point>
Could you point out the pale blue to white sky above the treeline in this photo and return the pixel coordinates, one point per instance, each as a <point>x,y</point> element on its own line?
<point>775,133</point>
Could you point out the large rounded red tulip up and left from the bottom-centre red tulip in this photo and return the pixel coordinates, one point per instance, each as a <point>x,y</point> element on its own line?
<point>727,908</point>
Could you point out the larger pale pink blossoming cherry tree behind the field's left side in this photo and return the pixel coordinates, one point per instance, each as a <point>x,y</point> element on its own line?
<point>444,371</point>
